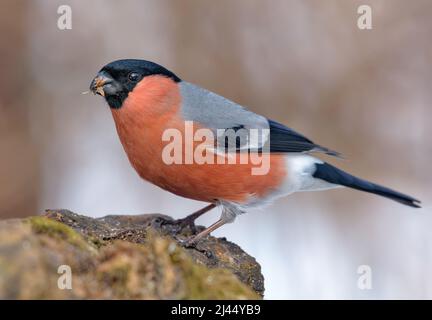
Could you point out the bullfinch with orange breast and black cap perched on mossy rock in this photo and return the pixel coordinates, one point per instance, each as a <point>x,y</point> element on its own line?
<point>150,105</point>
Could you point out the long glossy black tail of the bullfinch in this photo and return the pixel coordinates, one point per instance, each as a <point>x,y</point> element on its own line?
<point>334,175</point>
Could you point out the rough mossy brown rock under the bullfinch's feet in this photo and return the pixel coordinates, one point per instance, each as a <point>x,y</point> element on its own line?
<point>119,257</point>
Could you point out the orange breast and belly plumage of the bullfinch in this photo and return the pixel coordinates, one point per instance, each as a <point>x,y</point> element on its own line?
<point>153,107</point>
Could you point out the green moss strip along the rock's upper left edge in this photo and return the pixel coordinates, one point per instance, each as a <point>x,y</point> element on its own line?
<point>57,230</point>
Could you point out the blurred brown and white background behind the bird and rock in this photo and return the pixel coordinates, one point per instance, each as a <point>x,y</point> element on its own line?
<point>365,93</point>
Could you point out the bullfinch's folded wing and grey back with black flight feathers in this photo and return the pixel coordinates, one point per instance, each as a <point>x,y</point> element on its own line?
<point>236,127</point>
